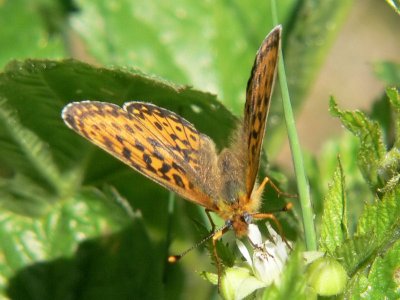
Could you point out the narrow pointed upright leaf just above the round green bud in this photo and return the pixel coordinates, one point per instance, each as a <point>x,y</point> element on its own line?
<point>334,220</point>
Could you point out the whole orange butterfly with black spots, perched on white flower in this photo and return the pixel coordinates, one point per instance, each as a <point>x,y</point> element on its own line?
<point>168,149</point>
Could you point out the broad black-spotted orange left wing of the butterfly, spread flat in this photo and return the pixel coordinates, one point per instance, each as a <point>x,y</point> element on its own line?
<point>154,141</point>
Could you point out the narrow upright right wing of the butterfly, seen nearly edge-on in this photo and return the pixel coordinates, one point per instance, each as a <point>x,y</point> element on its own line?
<point>258,97</point>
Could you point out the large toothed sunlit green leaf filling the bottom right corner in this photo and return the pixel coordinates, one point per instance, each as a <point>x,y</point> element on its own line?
<point>376,244</point>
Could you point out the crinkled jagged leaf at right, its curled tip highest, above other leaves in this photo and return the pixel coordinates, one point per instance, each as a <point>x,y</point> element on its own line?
<point>372,149</point>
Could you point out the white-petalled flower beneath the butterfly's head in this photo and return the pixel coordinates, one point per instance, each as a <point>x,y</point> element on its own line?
<point>269,257</point>
